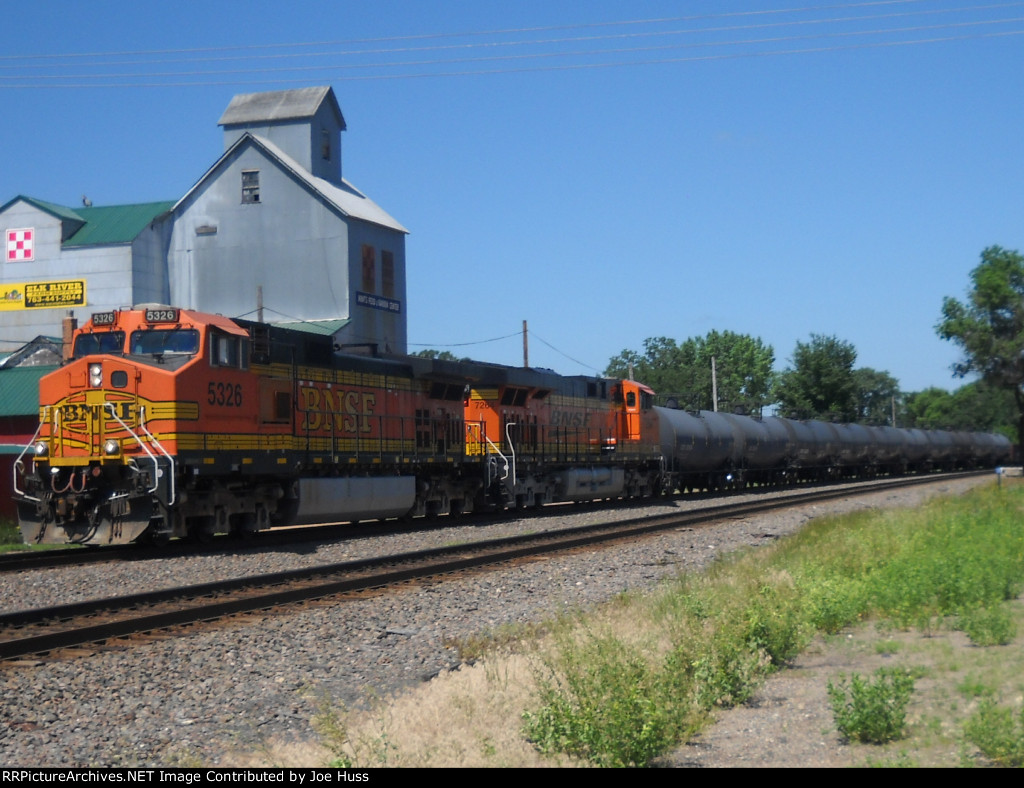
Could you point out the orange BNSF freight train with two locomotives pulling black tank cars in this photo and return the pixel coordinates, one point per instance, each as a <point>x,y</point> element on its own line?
<point>172,423</point>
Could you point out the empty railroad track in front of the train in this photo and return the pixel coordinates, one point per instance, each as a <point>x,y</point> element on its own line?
<point>113,622</point>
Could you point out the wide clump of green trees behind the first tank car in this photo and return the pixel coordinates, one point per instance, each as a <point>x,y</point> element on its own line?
<point>743,370</point>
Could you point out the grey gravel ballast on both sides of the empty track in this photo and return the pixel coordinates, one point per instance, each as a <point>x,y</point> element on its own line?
<point>193,698</point>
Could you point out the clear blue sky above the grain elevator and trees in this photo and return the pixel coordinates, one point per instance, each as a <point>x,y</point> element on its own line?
<point>606,171</point>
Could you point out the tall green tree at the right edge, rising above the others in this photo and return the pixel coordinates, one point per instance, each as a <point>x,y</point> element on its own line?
<point>990,326</point>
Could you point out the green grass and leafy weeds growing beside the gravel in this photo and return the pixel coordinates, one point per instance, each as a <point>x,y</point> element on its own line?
<point>710,640</point>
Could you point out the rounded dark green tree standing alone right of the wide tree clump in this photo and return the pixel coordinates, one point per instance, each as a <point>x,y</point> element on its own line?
<point>821,384</point>
